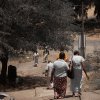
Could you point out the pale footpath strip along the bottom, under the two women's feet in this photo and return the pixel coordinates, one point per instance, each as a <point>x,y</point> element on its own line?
<point>41,93</point>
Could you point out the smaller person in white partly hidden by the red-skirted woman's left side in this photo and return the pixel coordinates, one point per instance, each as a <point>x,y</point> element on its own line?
<point>48,71</point>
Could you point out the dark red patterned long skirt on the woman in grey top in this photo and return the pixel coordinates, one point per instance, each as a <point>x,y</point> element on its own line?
<point>60,85</point>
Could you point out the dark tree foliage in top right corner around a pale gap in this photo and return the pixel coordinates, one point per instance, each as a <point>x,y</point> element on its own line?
<point>88,23</point>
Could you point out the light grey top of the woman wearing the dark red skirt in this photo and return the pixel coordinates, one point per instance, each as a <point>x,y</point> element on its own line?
<point>60,67</point>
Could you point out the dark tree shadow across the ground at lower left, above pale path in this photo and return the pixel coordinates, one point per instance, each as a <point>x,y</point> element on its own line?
<point>23,83</point>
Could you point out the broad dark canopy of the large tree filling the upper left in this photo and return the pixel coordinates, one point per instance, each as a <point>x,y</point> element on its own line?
<point>36,21</point>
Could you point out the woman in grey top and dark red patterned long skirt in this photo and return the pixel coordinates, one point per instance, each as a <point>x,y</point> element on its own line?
<point>59,76</point>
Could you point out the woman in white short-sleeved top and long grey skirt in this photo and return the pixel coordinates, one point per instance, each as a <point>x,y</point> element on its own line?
<point>78,66</point>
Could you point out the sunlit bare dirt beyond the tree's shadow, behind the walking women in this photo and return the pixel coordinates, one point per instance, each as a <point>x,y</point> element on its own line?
<point>28,68</point>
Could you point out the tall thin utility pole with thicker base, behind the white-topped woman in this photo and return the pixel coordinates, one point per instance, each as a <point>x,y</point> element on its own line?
<point>82,36</point>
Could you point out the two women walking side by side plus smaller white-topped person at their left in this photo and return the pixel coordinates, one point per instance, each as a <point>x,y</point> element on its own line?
<point>58,72</point>
